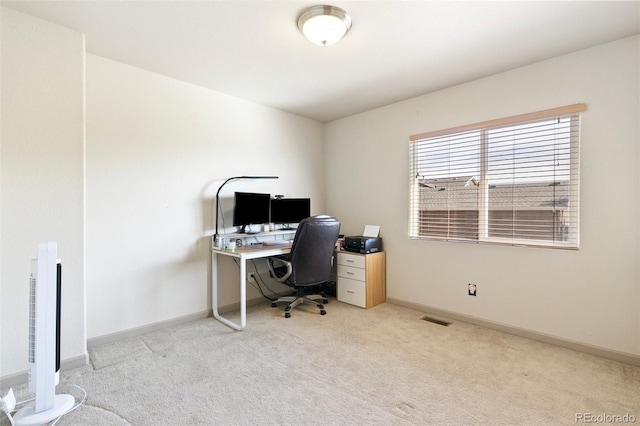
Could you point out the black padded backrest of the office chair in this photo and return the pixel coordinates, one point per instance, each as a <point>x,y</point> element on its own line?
<point>312,250</point>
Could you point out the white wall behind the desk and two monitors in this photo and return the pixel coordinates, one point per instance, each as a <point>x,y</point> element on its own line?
<point>157,150</point>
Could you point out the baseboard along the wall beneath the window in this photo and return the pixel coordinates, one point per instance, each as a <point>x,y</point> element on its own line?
<point>625,357</point>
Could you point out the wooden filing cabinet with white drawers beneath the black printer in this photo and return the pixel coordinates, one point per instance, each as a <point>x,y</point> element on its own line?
<point>361,278</point>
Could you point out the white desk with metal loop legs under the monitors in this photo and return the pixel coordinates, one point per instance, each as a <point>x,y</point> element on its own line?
<point>243,254</point>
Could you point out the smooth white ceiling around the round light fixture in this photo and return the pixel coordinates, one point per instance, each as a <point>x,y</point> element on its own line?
<point>395,50</point>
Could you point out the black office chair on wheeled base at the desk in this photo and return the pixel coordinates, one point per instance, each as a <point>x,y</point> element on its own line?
<point>309,263</point>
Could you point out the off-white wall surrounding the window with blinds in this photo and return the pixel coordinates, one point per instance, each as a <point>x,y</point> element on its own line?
<point>591,295</point>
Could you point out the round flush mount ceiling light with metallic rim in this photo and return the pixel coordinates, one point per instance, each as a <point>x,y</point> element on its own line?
<point>324,25</point>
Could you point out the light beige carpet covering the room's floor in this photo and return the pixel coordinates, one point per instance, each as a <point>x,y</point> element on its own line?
<point>382,366</point>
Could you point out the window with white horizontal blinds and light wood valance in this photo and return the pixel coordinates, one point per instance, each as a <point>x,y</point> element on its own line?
<point>510,181</point>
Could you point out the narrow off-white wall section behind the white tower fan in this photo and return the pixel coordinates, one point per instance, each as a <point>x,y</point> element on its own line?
<point>41,176</point>
